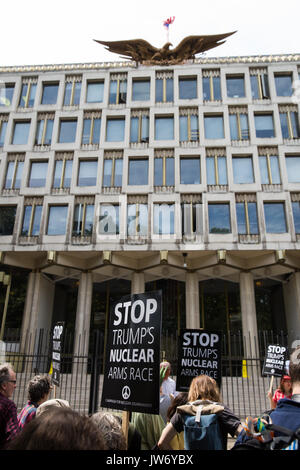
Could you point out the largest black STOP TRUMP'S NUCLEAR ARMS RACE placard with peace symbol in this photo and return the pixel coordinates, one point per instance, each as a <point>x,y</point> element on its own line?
<point>131,377</point>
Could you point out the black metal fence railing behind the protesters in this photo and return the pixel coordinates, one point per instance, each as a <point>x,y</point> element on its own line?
<point>243,388</point>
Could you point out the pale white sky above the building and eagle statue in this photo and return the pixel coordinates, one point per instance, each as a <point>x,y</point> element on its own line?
<point>35,32</point>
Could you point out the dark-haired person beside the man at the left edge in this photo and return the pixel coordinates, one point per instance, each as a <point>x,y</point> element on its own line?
<point>39,389</point>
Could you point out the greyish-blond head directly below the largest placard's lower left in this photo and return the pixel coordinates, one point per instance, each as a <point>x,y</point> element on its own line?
<point>110,429</point>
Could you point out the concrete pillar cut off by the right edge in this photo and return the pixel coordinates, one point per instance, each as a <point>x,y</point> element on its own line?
<point>291,295</point>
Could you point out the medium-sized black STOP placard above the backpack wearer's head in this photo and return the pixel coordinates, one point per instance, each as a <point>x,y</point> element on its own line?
<point>199,352</point>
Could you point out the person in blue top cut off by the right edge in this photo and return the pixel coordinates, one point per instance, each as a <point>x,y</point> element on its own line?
<point>287,411</point>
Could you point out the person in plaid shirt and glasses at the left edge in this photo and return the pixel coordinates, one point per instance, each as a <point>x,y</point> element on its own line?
<point>8,411</point>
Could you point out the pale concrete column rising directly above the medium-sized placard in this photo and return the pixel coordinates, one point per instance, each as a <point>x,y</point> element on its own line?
<point>192,301</point>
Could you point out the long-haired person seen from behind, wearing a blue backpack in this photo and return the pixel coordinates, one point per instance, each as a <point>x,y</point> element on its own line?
<point>203,390</point>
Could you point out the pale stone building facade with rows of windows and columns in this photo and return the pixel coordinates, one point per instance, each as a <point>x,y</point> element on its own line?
<point>117,178</point>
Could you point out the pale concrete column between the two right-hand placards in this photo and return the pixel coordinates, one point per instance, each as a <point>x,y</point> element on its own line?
<point>249,324</point>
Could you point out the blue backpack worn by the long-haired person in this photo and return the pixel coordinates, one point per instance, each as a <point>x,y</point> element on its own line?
<point>201,427</point>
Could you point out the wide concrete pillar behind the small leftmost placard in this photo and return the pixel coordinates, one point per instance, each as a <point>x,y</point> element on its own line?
<point>37,311</point>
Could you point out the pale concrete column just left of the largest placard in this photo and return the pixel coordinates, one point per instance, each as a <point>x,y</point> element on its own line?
<point>83,314</point>
